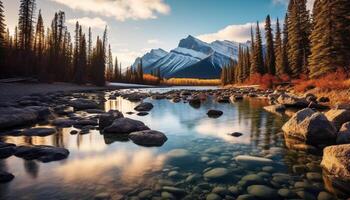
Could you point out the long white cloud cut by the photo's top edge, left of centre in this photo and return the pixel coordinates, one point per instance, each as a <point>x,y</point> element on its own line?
<point>120,9</point>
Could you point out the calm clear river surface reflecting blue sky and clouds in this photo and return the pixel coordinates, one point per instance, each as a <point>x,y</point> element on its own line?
<point>116,167</point>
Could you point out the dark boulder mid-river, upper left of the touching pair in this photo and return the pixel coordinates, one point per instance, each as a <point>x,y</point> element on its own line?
<point>125,126</point>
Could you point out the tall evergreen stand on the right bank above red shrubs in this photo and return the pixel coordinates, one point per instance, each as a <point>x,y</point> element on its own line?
<point>308,46</point>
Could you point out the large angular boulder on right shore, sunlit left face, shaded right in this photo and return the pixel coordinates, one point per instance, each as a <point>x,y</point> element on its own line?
<point>310,127</point>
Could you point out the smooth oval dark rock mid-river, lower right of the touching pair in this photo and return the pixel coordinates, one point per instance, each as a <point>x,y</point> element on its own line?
<point>148,138</point>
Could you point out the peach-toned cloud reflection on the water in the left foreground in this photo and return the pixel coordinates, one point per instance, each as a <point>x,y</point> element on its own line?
<point>131,165</point>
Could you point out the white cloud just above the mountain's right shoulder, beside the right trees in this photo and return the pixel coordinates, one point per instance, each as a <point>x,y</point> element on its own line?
<point>237,33</point>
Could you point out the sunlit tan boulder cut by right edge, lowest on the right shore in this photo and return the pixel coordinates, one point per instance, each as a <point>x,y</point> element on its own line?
<point>336,160</point>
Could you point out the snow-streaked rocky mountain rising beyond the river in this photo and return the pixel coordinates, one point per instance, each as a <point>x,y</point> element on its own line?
<point>194,58</point>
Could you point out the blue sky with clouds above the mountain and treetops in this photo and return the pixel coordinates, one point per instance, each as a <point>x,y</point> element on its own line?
<point>136,26</point>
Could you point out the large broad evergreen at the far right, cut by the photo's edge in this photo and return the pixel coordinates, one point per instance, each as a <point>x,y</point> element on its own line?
<point>330,43</point>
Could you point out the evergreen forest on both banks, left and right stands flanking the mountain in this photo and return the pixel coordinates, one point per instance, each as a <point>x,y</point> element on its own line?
<point>309,46</point>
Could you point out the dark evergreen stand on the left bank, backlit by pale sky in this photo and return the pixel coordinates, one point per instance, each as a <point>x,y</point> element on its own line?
<point>51,54</point>
